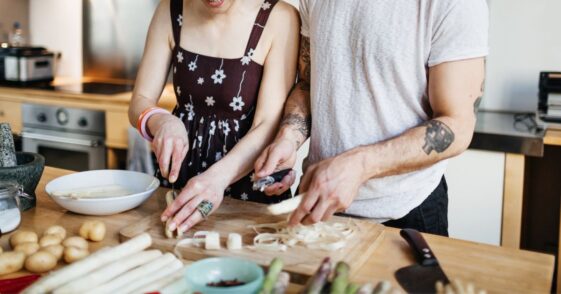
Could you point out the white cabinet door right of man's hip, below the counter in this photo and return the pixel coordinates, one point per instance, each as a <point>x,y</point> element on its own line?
<point>475,191</point>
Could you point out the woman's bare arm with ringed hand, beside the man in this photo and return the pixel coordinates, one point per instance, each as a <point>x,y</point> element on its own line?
<point>278,79</point>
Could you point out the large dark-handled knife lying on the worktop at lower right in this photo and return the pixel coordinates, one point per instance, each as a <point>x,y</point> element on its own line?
<point>420,277</point>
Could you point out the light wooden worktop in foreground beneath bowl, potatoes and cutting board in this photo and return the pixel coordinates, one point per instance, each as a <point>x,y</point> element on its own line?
<point>496,269</point>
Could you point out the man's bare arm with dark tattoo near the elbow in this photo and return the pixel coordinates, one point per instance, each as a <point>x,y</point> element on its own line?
<point>454,90</point>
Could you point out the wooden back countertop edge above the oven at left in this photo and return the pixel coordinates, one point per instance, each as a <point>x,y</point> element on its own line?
<point>117,102</point>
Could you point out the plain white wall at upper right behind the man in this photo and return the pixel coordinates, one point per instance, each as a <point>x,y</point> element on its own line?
<point>525,38</point>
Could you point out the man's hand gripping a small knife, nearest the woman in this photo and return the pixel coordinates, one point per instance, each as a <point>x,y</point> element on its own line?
<point>280,155</point>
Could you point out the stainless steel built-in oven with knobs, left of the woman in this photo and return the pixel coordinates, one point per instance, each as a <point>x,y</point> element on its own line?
<point>68,138</point>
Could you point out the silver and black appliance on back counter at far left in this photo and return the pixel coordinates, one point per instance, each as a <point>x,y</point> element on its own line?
<point>24,65</point>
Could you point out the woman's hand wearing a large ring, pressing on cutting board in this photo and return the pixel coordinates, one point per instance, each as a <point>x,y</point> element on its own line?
<point>184,209</point>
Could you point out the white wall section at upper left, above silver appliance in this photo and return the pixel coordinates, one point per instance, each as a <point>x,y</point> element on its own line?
<point>57,25</point>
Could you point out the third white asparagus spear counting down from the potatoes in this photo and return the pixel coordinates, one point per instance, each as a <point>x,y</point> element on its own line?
<point>134,275</point>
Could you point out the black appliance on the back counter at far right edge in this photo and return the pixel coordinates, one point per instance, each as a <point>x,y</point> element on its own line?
<point>550,96</point>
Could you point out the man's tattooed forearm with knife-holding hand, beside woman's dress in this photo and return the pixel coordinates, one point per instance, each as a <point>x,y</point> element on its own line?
<point>294,129</point>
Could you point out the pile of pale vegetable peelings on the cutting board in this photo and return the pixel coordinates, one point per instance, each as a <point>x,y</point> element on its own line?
<point>321,236</point>
